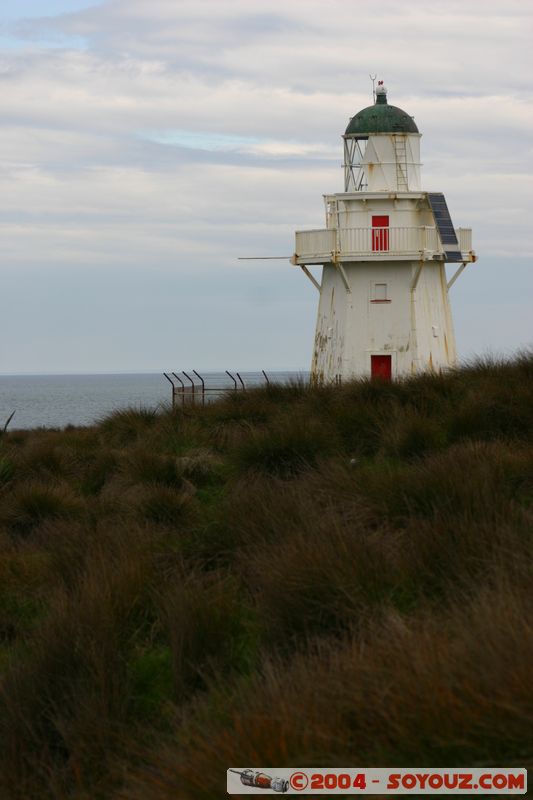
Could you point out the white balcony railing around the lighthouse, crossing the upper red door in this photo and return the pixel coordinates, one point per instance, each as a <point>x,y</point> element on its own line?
<point>375,242</point>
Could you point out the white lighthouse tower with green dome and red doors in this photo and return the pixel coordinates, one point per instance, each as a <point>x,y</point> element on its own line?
<point>384,309</point>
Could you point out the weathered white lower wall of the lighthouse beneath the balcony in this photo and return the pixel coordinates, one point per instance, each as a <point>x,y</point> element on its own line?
<point>413,325</point>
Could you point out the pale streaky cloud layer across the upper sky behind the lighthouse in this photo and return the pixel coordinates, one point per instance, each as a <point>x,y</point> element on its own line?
<point>182,135</point>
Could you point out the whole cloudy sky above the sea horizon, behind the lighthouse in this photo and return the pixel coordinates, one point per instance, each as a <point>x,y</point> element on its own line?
<point>146,144</point>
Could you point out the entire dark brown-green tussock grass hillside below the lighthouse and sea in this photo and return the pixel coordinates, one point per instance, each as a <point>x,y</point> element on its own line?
<point>175,586</point>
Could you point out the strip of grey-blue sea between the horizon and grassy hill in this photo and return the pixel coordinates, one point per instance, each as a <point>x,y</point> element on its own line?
<point>55,401</point>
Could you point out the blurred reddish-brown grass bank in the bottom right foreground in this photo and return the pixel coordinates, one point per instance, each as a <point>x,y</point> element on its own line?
<point>439,688</point>
